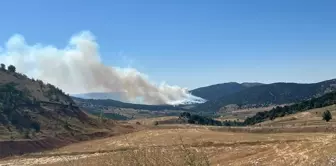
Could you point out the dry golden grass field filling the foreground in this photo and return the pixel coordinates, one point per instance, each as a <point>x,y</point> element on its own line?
<point>182,146</point>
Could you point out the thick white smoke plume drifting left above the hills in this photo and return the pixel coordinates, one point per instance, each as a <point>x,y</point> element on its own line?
<point>77,68</point>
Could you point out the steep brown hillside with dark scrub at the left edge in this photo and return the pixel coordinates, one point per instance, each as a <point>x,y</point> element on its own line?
<point>37,116</point>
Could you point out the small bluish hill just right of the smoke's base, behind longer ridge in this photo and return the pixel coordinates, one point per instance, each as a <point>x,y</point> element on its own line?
<point>217,91</point>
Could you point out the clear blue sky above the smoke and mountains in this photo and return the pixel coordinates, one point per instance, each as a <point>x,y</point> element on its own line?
<point>191,43</point>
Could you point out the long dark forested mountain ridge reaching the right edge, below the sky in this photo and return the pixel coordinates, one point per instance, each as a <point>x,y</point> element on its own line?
<point>276,93</point>
